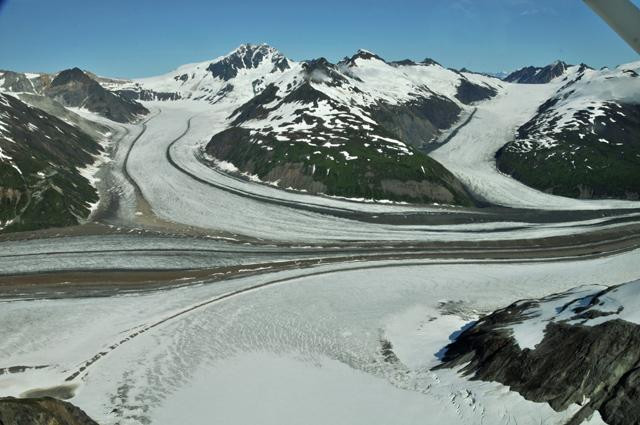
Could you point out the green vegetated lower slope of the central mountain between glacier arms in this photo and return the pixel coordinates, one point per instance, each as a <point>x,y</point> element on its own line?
<point>355,169</point>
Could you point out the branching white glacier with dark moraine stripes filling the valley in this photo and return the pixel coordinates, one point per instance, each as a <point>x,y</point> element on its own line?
<point>310,309</point>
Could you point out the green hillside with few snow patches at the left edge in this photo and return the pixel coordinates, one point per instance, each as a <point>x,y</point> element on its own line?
<point>40,157</point>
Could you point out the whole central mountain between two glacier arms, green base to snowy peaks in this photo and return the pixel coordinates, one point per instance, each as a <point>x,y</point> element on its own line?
<point>347,129</point>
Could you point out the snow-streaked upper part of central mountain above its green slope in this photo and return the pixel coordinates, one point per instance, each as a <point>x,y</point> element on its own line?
<point>410,100</point>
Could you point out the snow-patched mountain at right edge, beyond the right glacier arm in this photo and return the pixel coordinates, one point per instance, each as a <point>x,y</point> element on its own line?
<point>584,141</point>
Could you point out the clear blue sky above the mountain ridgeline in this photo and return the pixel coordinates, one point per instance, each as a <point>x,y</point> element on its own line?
<point>136,38</point>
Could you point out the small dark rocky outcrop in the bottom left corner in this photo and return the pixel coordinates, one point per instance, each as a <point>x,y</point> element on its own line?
<point>41,411</point>
